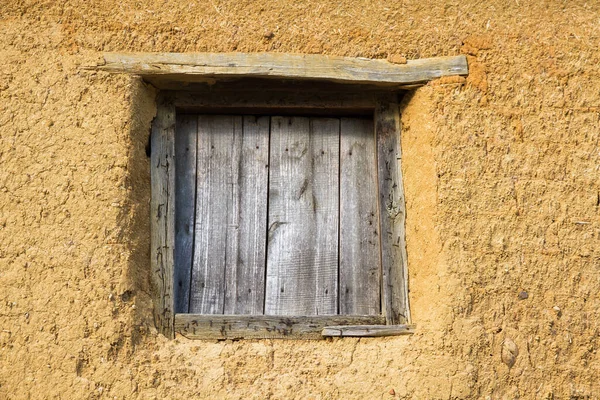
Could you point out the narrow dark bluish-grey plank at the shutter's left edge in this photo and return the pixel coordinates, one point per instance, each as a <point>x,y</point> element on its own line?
<point>185,204</point>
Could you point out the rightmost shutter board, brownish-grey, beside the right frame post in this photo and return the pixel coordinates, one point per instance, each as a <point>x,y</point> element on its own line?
<point>360,269</point>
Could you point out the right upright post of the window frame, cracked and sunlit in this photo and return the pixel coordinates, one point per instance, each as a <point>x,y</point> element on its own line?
<point>392,213</point>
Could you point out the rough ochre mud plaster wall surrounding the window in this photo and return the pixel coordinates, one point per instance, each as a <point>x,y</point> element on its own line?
<point>502,184</point>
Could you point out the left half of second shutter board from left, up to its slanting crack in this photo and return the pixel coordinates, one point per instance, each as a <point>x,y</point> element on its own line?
<point>217,178</point>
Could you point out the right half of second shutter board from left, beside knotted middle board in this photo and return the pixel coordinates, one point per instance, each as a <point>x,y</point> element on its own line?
<point>247,228</point>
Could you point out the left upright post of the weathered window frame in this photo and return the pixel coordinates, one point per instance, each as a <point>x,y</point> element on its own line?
<point>162,212</point>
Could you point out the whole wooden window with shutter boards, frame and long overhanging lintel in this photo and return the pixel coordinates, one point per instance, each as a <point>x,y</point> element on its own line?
<point>278,211</point>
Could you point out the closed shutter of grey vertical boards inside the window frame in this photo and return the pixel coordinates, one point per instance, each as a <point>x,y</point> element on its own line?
<point>276,215</point>
